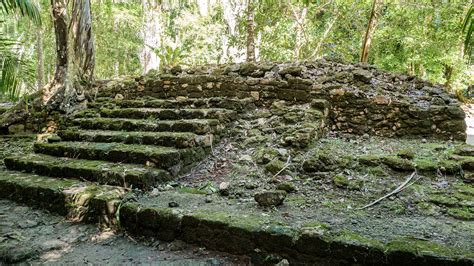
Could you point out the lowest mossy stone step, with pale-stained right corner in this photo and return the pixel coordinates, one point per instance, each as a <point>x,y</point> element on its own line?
<point>79,201</point>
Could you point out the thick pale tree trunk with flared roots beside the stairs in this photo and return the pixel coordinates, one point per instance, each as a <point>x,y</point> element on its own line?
<point>74,63</point>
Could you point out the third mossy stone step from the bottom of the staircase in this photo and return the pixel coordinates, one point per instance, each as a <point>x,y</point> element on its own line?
<point>170,159</point>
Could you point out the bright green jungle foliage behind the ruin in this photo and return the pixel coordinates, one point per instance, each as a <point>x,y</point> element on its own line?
<point>429,39</point>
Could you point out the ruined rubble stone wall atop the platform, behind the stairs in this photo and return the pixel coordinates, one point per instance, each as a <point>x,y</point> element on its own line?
<point>361,99</point>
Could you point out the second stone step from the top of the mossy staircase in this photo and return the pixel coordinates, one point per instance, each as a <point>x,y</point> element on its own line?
<point>169,114</point>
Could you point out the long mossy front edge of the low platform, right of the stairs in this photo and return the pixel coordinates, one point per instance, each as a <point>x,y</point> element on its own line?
<point>313,243</point>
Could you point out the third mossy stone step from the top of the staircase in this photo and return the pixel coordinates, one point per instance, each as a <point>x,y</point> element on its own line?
<point>198,126</point>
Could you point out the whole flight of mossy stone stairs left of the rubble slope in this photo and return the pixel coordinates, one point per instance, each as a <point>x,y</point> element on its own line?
<point>114,146</point>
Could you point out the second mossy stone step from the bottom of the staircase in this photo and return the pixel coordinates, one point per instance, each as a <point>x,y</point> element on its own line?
<point>126,175</point>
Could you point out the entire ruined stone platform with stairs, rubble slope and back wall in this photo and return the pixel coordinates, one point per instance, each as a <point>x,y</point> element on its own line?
<point>180,155</point>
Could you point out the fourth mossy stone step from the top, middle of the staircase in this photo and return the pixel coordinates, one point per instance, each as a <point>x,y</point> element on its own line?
<point>170,139</point>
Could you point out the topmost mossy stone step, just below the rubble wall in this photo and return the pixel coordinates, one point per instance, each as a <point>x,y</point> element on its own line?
<point>214,102</point>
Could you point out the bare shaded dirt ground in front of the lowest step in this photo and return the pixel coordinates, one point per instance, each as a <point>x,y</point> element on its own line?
<point>35,237</point>
